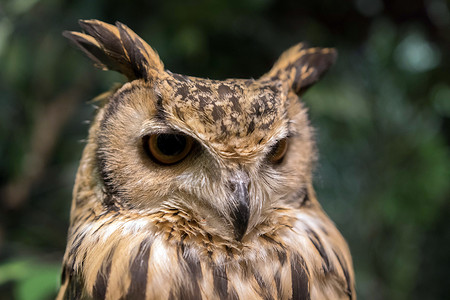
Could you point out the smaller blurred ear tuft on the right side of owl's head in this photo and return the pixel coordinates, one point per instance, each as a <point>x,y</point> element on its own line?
<point>301,66</point>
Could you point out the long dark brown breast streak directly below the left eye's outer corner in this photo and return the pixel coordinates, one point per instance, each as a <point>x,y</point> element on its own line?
<point>139,271</point>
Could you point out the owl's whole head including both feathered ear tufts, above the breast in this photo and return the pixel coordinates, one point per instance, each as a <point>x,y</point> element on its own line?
<point>225,153</point>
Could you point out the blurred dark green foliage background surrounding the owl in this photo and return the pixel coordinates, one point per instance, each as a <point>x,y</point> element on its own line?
<point>382,115</point>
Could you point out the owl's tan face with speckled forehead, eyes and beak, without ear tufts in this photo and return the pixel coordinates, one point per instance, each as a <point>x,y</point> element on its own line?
<point>221,149</point>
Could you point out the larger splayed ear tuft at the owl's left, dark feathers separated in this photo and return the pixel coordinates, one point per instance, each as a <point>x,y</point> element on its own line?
<point>116,48</point>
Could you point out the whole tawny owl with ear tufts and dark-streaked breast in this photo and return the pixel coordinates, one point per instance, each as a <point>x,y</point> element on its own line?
<point>192,188</point>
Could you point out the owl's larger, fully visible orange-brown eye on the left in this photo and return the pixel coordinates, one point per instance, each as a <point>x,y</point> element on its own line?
<point>168,149</point>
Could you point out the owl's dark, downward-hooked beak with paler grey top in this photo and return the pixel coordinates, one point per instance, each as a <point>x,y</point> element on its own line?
<point>241,211</point>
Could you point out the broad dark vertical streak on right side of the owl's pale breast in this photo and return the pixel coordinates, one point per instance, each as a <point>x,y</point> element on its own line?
<point>299,279</point>
